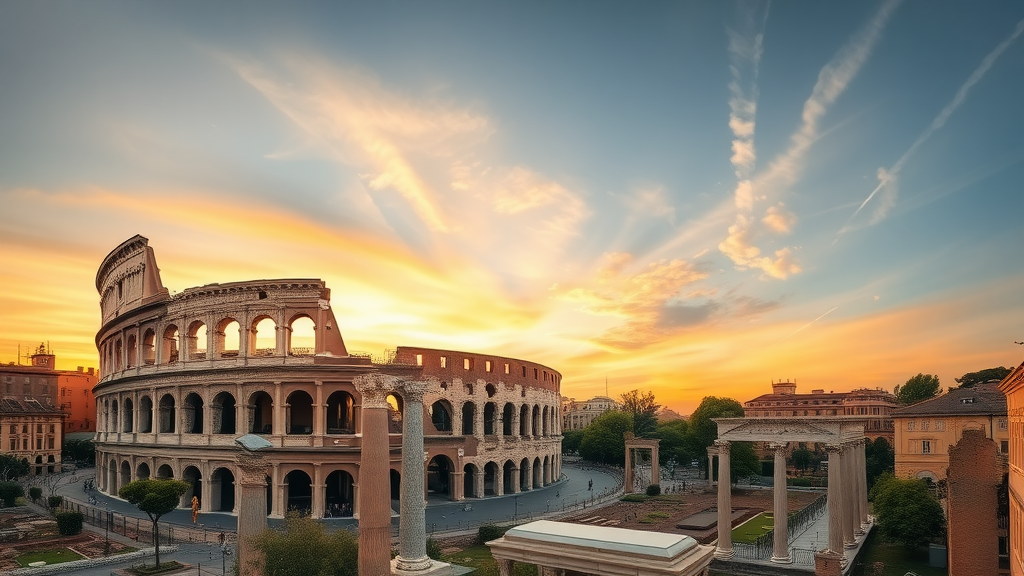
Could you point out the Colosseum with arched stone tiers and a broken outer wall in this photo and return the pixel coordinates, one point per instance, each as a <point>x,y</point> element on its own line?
<point>183,376</point>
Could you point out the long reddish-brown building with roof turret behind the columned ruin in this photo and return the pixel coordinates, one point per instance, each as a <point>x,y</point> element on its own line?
<point>874,406</point>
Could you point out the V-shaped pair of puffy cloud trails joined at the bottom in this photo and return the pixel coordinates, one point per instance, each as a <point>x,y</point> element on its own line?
<point>742,243</point>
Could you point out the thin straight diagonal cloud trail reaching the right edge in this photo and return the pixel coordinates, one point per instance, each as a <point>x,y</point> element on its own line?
<point>888,185</point>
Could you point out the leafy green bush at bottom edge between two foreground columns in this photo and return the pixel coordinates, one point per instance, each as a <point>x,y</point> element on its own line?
<point>304,548</point>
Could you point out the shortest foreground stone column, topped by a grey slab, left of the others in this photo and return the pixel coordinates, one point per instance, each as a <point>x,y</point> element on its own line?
<point>251,501</point>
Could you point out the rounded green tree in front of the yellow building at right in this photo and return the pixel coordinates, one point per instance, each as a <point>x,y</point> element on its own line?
<point>907,511</point>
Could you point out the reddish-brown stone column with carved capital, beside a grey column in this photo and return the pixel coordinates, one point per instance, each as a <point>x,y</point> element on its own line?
<point>375,503</point>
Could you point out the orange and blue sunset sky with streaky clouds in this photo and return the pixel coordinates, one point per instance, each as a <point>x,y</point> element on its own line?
<point>690,198</point>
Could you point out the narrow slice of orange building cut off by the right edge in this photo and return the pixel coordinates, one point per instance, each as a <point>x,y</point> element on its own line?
<point>1013,388</point>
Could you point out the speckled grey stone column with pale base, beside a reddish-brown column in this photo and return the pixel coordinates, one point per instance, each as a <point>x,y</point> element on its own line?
<point>412,526</point>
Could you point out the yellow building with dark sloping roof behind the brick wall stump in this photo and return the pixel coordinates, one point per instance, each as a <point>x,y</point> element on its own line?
<point>926,431</point>
